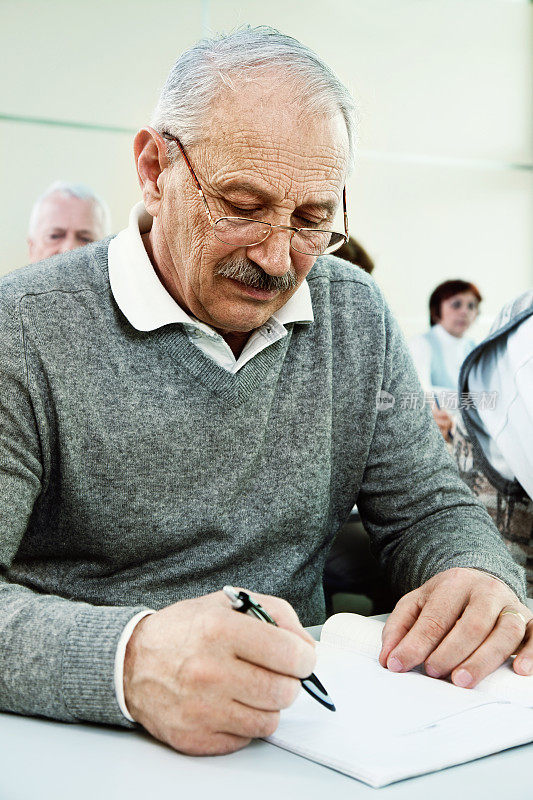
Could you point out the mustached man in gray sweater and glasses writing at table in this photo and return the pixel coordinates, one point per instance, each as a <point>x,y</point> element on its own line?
<point>193,403</point>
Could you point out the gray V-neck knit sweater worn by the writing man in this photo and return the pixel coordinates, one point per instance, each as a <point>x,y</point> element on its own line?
<point>135,472</point>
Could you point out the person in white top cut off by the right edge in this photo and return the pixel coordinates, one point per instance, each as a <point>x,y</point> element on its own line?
<point>494,445</point>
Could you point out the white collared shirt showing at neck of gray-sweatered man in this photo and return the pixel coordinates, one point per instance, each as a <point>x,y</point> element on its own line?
<point>147,305</point>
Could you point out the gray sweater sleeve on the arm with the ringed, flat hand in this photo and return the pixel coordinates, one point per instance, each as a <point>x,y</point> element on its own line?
<point>421,517</point>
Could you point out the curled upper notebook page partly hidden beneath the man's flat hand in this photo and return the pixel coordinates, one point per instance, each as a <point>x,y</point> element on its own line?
<point>363,635</point>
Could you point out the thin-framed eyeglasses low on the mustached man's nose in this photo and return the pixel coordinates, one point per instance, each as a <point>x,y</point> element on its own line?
<point>244,232</point>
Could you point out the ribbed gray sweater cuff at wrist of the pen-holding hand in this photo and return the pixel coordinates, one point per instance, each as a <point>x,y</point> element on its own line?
<point>88,664</point>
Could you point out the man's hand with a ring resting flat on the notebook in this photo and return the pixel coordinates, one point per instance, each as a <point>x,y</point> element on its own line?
<point>458,624</point>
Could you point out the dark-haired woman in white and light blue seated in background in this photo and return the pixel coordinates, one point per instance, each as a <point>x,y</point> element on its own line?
<point>439,353</point>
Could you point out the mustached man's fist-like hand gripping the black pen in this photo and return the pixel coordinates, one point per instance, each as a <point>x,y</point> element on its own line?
<point>206,680</point>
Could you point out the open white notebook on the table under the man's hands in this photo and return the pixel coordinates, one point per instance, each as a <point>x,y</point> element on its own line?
<point>389,726</point>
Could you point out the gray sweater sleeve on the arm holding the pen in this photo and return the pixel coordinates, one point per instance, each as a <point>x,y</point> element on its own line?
<point>56,655</point>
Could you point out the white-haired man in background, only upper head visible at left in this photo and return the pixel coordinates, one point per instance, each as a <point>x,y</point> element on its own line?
<point>66,216</point>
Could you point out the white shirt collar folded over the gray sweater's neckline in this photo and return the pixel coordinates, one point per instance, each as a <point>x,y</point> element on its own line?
<point>145,302</point>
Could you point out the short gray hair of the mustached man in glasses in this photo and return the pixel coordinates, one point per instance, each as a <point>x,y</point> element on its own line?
<point>199,74</point>
